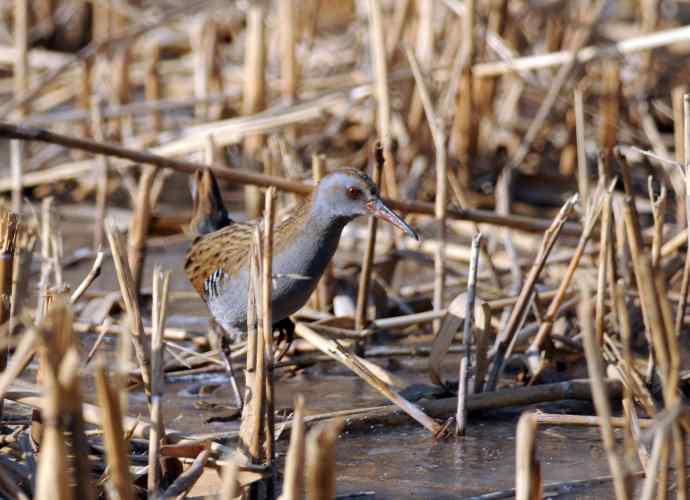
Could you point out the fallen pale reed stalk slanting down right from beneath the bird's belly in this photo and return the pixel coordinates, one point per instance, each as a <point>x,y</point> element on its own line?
<point>354,363</point>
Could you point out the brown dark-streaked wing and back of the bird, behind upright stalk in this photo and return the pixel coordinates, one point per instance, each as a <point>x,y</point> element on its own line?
<point>226,249</point>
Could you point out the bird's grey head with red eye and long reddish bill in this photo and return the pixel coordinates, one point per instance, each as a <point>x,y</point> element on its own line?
<point>349,193</point>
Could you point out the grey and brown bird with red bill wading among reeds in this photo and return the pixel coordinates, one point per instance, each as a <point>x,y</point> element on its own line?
<point>218,261</point>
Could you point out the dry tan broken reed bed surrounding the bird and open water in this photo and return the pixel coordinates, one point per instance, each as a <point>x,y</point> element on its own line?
<point>541,148</point>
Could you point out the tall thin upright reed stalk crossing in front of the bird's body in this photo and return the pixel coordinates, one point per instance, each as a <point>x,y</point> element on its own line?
<point>267,329</point>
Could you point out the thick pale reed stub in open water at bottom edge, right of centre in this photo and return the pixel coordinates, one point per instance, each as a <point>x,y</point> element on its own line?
<point>528,480</point>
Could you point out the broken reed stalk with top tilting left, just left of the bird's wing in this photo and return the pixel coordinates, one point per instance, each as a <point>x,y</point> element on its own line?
<point>129,297</point>
